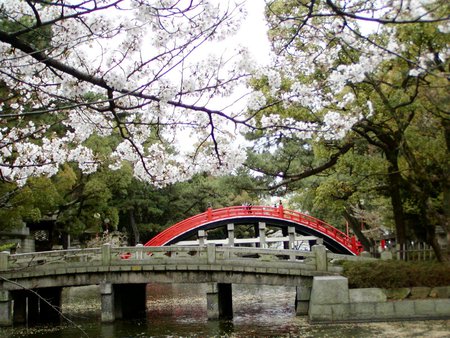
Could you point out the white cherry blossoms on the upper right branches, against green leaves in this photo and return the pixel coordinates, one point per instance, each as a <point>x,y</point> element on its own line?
<point>322,48</point>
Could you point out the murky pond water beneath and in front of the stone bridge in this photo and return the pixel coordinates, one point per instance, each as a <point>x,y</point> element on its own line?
<point>179,310</point>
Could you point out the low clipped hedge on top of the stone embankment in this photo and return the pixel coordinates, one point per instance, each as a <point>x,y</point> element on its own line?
<point>396,274</point>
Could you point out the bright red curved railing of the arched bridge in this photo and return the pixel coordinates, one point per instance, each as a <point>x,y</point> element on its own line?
<point>212,215</point>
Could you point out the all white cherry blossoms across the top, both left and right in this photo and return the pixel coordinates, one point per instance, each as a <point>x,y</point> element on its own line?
<point>153,72</point>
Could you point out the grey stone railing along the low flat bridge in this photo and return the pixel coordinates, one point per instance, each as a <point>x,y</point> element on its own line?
<point>106,257</point>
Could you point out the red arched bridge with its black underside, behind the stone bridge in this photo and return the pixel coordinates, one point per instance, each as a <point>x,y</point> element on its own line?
<point>334,239</point>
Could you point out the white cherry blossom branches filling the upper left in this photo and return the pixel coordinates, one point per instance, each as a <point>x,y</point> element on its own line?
<point>73,68</point>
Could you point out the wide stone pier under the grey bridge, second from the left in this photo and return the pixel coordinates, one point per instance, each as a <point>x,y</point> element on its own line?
<point>122,301</point>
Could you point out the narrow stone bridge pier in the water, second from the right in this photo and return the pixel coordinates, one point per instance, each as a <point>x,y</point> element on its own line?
<point>219,301</point>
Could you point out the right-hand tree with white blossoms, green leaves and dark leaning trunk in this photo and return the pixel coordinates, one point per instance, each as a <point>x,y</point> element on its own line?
<point>348,71</point>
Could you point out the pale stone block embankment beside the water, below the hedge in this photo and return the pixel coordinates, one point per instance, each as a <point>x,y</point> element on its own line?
<point>332,301</point>
